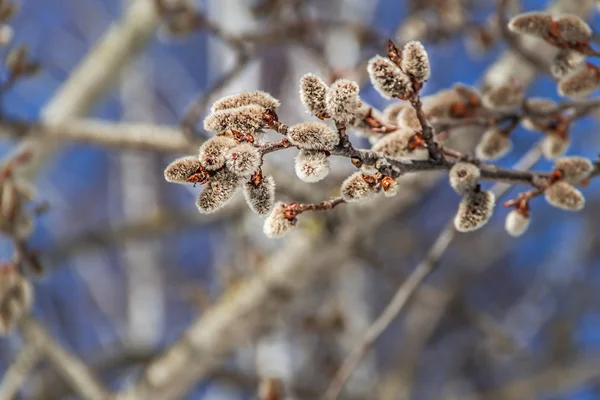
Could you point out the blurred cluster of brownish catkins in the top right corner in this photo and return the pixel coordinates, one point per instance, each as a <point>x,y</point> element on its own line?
<point>571,35</point>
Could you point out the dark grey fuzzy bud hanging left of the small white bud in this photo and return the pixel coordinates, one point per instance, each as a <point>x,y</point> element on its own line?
<point>474,211</point>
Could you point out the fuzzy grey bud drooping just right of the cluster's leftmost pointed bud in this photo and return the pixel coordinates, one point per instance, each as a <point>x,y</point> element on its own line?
<point>218,191</point>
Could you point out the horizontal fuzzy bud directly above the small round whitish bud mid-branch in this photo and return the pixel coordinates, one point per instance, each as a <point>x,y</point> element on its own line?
<point>313,136</point>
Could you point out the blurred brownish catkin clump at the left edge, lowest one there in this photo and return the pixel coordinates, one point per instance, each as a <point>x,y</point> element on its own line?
<point>16,296</point>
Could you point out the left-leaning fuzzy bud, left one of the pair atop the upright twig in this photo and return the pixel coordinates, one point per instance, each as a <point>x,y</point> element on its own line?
<point>388,79</point>
